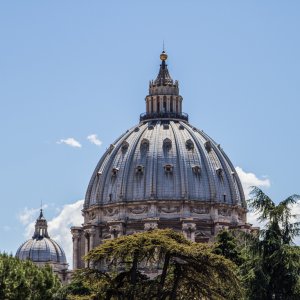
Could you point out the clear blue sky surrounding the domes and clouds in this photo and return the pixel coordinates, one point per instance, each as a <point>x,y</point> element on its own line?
<point>69,69</point>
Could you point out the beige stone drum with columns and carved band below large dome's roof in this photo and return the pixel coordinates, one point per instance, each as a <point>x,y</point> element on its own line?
<point>199,222</point>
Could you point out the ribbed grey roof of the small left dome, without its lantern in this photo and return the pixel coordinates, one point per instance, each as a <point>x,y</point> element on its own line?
<point>42,250</point>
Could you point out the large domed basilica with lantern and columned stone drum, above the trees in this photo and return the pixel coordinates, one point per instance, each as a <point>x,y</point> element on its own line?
<point>162,173</point>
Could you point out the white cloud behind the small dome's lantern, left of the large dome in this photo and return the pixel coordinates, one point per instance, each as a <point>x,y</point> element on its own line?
<point>58,227</point>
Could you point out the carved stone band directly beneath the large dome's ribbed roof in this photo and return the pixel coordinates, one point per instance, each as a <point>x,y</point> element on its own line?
<point>164,209</point>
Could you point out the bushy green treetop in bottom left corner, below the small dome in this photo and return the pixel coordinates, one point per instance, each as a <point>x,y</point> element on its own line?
<point>24,280</point>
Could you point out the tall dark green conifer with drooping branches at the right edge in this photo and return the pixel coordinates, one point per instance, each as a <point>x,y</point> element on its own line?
<point>273,268</point>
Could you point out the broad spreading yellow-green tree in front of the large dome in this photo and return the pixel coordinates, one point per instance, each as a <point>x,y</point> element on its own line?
<point>158,264</point>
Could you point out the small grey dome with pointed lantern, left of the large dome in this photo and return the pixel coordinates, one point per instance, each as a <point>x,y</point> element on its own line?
<point>41,248</point>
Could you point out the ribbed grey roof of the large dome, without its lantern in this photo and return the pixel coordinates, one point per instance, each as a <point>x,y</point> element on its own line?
<point>164,159</point>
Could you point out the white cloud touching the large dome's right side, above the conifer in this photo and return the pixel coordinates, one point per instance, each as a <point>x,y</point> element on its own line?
<point>250,179</point>
